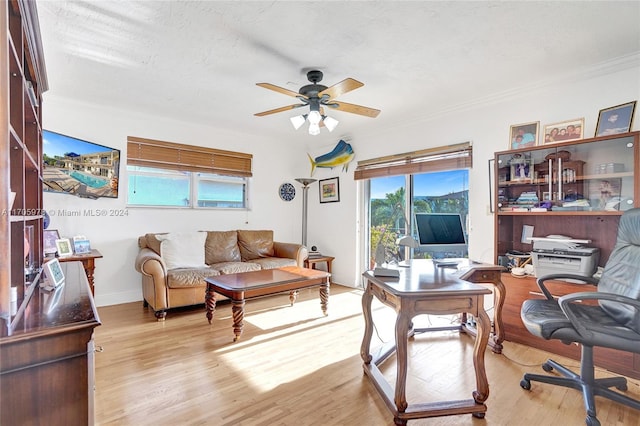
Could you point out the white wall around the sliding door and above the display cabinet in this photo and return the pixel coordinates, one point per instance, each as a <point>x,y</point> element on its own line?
<point>335,228</point>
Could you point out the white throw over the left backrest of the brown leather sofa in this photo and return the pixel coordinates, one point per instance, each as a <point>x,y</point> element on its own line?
<point>183,249</point>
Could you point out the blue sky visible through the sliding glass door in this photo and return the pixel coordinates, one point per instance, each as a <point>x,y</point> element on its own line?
<point>434,184</point>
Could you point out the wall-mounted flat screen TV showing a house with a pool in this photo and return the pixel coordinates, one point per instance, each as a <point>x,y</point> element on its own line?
<point>78,167</point>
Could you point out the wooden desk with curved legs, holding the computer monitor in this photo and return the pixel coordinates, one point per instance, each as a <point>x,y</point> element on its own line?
<point>424,289</point>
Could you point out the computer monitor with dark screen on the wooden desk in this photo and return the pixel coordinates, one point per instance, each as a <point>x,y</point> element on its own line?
<point>441,234</point>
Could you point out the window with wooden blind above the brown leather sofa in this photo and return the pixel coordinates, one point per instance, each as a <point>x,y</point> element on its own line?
<point>174,175</point>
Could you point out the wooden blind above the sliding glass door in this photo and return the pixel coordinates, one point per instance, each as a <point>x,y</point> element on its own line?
<point>449,157</point>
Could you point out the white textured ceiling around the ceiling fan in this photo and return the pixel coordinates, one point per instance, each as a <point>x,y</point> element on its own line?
<point>199,60</point>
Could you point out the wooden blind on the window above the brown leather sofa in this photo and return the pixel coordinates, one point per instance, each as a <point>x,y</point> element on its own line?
<point>174,156</point>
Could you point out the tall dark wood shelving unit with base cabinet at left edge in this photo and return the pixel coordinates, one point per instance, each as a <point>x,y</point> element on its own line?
<point>46,338</point>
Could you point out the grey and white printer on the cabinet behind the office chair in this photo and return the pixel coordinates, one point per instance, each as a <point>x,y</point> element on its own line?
<point>557,254</point>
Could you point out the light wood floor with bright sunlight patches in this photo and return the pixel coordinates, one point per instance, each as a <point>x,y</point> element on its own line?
<point>293,366</point>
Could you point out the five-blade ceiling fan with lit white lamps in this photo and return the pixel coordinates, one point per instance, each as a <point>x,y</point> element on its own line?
<point>318,96</point>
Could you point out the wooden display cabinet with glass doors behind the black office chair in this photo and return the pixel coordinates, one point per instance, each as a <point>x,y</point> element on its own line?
<point>578,189</point>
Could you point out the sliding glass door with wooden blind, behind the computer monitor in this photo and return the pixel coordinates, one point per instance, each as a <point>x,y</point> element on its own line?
<point>429,181</point>
